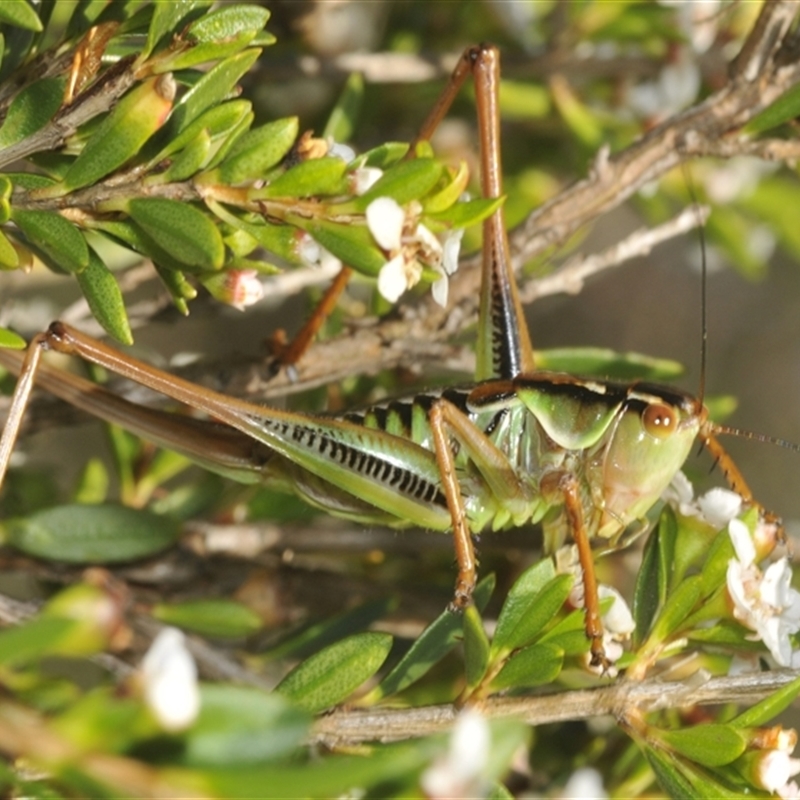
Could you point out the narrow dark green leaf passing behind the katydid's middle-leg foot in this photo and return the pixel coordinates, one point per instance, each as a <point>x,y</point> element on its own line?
<point>431,646</point>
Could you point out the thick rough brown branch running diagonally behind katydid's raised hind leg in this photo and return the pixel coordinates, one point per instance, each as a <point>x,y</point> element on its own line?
<point>417,331</point>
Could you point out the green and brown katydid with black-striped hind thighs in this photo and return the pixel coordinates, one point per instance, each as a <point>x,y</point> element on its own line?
<point>585,458</point>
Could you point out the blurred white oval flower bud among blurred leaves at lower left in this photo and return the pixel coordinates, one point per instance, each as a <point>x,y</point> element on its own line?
<point>169,677</point>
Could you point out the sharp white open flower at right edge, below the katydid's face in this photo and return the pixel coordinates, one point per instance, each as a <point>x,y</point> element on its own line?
<point>765,602</point>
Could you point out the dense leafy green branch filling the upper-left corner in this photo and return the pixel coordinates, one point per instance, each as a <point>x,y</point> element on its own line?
<point>127,129</point>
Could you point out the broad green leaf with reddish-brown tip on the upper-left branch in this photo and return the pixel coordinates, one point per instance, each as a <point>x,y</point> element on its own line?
<point>123,133</point>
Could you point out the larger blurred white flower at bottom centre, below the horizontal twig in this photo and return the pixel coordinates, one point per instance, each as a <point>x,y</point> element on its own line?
<point>459,773</point>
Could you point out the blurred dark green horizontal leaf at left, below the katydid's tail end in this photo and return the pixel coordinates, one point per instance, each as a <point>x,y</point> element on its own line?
<point>101,534</point>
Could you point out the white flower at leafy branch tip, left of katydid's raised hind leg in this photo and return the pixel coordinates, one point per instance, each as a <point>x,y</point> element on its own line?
<point>410,245</point>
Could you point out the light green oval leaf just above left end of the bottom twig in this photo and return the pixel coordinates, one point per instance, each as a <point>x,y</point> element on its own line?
<point>332,675</point>
